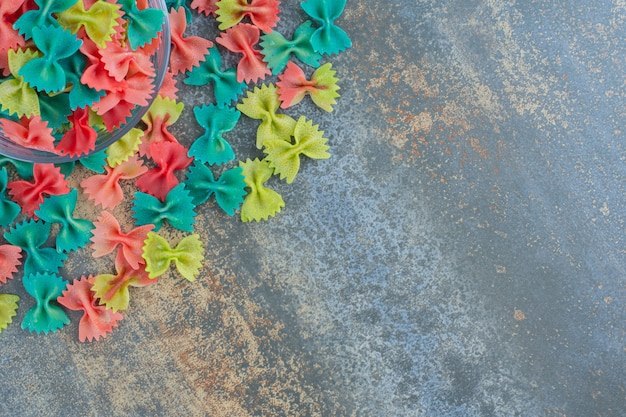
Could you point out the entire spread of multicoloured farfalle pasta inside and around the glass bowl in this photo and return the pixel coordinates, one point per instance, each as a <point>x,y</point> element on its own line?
<point>73,68</point>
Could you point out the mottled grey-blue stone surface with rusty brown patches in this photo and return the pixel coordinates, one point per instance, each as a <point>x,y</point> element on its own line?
<point>461,254</point>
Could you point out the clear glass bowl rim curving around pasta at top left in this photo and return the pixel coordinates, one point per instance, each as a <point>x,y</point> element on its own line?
<point>160,60</point>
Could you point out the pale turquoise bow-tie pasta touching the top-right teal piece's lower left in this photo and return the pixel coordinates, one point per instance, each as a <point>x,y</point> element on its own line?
<point>277,50</point>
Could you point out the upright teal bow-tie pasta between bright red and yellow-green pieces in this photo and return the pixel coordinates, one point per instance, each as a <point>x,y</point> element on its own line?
<point>211,147</point>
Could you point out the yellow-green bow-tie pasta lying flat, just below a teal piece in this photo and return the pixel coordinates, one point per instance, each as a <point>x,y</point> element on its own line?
<point>187,255</point>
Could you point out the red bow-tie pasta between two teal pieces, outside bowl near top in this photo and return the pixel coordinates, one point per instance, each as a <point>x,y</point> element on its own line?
<point>241,39</point>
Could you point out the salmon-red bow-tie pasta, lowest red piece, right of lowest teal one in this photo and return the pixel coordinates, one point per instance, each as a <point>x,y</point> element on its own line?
<point>97,320</point>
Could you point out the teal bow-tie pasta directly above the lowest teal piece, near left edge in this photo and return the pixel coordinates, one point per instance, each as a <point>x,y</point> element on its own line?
<point>31,235</point>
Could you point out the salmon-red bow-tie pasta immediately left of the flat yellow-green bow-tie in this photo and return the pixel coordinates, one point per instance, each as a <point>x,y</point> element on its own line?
<point>108,235</point>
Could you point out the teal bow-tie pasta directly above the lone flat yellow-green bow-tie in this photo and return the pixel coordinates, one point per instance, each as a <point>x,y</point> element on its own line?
<point>177,209</point>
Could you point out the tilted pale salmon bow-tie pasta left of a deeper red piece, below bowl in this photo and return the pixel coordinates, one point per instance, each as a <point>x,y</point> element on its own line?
<point>104,189</point>
